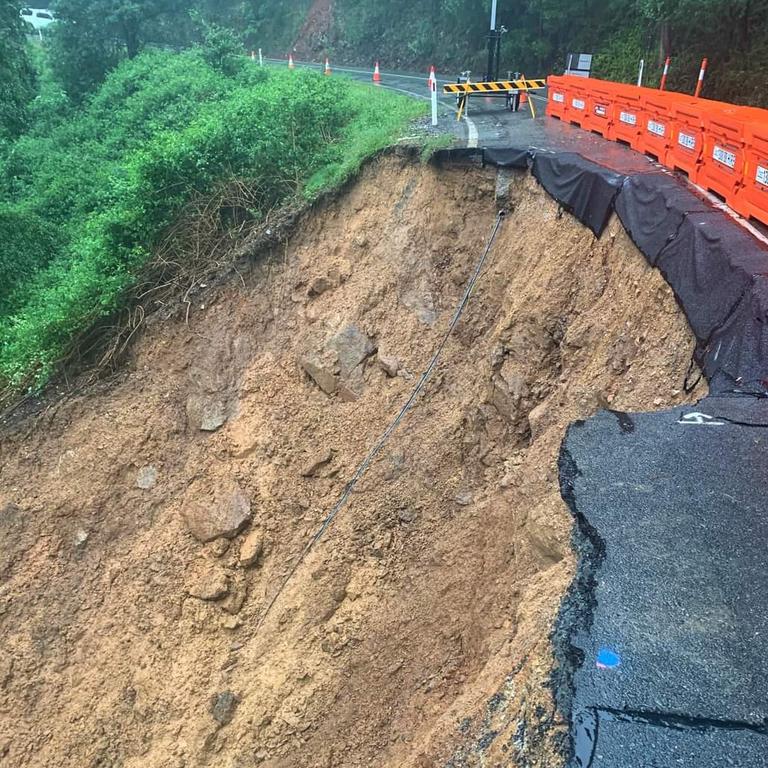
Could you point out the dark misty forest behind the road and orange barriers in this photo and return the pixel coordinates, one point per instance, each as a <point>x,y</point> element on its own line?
<point>732,33</point>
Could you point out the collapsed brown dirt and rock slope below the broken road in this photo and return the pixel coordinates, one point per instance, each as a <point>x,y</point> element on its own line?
<point>146,523</point>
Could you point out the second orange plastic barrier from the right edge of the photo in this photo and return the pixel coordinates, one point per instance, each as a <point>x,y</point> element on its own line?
<point>722,166</point>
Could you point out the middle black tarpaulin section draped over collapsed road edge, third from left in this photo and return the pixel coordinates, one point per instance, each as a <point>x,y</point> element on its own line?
<point>651,206</point>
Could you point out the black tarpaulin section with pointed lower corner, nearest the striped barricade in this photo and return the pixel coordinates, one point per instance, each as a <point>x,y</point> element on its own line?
<point>583,188</point>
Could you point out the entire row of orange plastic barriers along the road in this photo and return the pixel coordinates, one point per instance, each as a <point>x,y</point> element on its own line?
<point>720,146</point>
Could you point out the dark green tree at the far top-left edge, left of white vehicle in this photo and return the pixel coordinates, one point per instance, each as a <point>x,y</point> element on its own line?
<point>17,75</point>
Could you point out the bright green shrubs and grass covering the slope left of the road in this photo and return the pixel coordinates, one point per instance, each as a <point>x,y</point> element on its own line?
<point>87,191</point>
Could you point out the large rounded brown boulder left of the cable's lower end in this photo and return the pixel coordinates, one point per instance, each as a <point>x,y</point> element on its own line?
<point>211,512</point>
